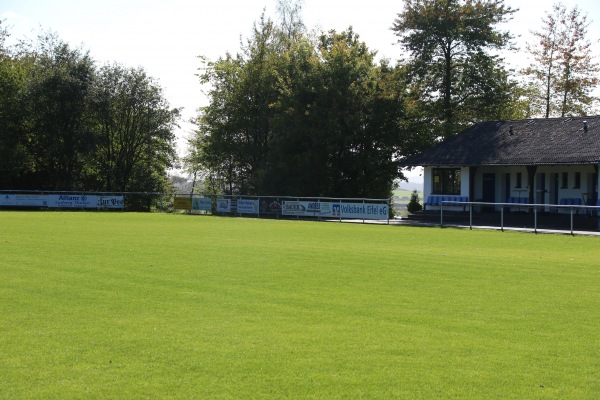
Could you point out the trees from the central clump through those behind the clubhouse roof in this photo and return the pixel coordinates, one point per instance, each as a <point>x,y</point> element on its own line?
<point>299,113</point>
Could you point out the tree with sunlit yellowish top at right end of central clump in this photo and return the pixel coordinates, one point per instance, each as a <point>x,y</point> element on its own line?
<point>360,109</point>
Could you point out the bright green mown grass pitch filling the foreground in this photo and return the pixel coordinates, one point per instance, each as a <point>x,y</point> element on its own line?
<point>135,306</point>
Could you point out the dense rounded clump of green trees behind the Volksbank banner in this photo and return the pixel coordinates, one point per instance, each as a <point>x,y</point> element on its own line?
<point>296,116</point>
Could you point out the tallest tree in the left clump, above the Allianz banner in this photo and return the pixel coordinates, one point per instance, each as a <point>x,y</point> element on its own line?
<point>55,100</point>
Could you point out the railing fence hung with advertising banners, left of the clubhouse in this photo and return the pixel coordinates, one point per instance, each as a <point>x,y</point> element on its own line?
<point>216,204</point>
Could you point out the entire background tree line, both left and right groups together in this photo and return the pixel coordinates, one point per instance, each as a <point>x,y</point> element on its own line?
<point>293,111</point>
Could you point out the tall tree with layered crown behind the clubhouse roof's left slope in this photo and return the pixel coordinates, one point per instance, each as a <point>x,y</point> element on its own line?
<point>454,76</point>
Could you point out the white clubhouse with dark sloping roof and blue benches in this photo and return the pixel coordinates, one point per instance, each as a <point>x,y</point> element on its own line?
<point>535,161</point>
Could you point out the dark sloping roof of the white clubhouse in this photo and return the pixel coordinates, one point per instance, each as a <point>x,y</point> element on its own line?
<point>532,142</point>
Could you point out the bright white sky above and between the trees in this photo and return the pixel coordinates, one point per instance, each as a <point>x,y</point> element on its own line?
<point>166,37</point>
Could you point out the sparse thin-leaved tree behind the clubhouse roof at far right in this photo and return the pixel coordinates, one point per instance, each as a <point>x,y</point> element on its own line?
<point>563,62</point>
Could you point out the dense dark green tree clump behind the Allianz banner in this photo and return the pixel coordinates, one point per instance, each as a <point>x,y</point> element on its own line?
<point>67,123</point>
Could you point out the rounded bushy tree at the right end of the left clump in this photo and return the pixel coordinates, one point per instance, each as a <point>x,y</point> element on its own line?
<point>134,131</point>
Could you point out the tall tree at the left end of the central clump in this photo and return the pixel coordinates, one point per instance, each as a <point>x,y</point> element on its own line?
<point>236,125</point>
